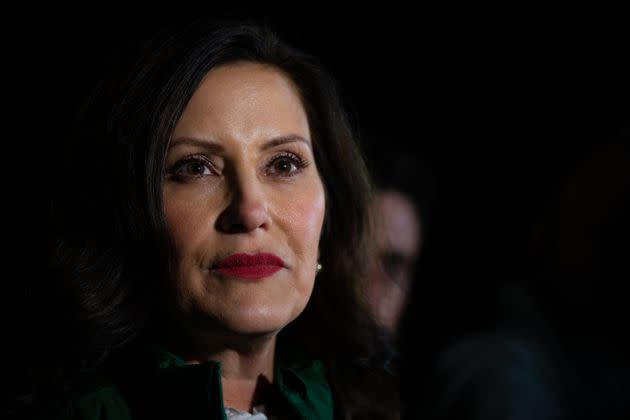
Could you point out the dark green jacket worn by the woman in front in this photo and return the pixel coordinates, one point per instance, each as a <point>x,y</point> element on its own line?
<point>164,386</point>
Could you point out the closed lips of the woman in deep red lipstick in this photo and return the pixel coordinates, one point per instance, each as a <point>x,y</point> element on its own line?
<point>250,267</point>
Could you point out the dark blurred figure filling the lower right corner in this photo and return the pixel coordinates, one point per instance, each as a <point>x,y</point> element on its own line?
<point>557,348</point>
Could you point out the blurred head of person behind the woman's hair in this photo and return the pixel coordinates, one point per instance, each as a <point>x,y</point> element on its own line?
<point>401,211</point>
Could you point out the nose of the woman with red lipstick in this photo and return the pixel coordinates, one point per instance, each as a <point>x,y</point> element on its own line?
<point>247,209</point>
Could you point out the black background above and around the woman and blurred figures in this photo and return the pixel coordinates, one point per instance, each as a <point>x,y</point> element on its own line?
<point>502,100</point>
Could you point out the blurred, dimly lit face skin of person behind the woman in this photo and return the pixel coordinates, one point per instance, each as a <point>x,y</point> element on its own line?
<point>397,245</point>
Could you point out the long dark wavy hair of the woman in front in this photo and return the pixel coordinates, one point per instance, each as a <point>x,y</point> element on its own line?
<point>112,246</point>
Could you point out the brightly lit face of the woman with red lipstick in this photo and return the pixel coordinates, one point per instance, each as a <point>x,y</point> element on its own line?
<point>244,202</point>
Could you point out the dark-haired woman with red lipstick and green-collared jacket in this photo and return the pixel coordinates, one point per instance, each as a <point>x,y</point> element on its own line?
<point>212,236</point>
